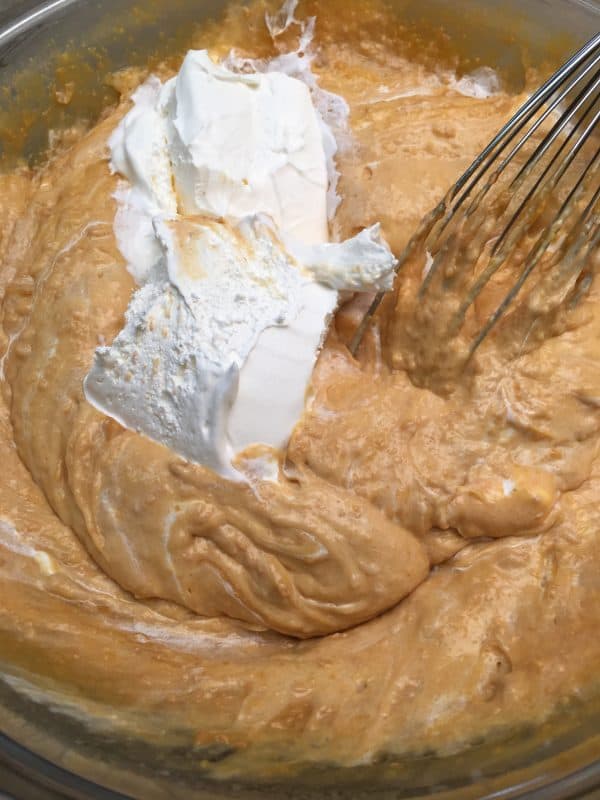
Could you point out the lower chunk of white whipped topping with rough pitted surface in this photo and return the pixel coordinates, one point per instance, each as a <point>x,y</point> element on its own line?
<point>175,370</point>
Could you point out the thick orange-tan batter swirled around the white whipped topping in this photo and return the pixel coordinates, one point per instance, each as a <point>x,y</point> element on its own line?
<point>110,544</point>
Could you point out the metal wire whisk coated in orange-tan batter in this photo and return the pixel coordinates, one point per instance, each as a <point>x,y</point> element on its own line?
<point>535,186</point>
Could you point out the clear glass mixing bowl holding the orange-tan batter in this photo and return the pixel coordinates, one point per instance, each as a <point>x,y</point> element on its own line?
<point>48,752</point>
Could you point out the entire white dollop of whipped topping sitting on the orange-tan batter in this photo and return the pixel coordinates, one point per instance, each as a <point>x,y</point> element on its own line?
<point>223,222</point>
